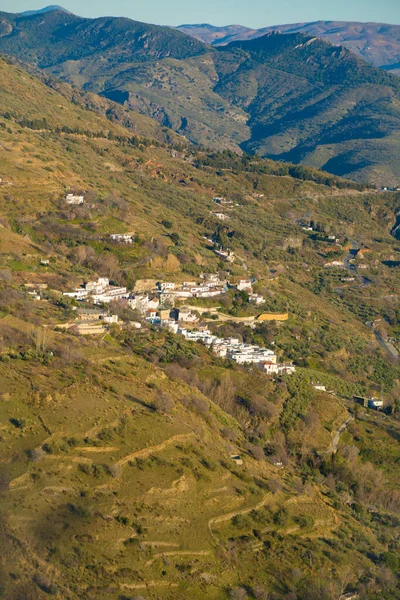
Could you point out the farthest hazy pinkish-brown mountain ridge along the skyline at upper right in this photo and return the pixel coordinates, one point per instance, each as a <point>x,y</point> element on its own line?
<point>378,43</point>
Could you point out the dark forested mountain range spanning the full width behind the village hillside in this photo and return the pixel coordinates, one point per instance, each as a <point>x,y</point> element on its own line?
<point>290,97</point>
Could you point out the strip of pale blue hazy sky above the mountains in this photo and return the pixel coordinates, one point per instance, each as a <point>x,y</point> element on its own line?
<point>254,13</point>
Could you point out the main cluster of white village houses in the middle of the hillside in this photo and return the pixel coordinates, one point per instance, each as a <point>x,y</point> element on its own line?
<point>155,308</point>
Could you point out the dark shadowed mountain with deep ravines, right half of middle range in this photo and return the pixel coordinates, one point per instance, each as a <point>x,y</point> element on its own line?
<point>300,109</point>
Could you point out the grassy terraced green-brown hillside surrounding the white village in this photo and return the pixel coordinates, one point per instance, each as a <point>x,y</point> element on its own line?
<point>116,478</point>
